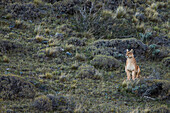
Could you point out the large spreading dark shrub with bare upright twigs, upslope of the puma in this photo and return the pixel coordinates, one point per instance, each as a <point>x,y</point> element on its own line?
<point>104,21</point>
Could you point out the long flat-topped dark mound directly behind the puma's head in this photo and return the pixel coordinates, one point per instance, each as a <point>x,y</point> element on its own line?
<point>116,47</point>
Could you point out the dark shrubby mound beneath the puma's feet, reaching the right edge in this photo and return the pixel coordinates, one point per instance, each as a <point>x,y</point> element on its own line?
<point>147,88</point>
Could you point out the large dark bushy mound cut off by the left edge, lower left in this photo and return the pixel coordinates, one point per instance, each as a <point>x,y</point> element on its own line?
<point>12,87</point>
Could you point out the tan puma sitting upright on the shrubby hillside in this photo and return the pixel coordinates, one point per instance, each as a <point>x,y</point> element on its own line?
<point>131,67</point>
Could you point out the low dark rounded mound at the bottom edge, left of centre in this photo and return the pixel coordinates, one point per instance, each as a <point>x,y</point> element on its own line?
<point>51,102</point>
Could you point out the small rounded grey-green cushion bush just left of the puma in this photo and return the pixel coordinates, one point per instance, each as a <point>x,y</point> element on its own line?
<point>105,62</point>
